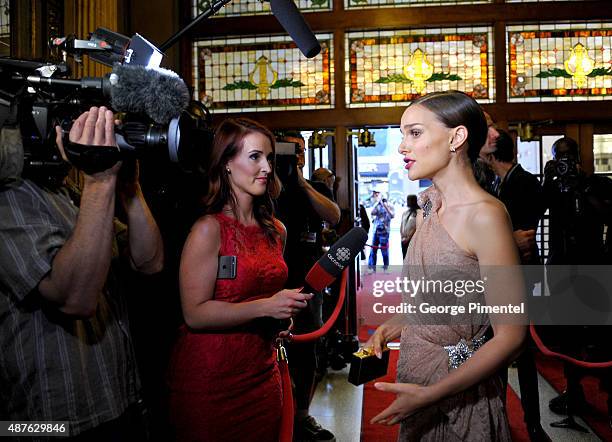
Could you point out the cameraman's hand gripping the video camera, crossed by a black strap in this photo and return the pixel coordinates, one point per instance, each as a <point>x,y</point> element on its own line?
<point>96,127</point>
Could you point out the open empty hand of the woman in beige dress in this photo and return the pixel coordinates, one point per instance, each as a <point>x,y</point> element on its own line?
<point>410,398</point>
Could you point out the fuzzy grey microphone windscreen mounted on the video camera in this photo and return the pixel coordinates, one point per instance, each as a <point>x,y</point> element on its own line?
<point>159,93</point>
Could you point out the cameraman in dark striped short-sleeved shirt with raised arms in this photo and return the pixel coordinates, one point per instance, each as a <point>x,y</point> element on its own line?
<point>66,349</point>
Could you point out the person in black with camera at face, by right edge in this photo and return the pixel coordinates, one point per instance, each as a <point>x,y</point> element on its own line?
<point>579,208</point>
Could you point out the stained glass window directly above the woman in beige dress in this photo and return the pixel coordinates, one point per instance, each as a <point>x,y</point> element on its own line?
<point>385,68</point>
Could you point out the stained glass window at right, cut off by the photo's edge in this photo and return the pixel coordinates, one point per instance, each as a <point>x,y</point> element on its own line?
<point>560,62</point>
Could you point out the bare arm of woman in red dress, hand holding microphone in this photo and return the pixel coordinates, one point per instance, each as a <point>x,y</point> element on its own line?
<point>197,278</point>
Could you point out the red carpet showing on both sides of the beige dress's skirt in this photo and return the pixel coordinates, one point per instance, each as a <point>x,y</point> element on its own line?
<point>375,401</point>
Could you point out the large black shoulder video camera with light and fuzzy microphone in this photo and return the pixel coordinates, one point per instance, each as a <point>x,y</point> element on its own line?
<point>158,120</point>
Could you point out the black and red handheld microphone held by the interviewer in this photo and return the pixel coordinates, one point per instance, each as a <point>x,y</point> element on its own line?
<point>334,261</point>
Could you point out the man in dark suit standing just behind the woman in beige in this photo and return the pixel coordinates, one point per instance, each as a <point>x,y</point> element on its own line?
<point>522,194</point>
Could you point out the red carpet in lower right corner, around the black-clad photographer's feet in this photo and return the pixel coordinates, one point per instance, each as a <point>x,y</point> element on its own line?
<point>552,371</point>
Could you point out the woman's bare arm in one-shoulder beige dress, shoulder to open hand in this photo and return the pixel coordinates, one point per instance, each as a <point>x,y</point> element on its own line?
<point>490,238</point>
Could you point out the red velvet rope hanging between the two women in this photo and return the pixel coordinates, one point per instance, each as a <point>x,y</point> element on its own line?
<point>286,429</point>
